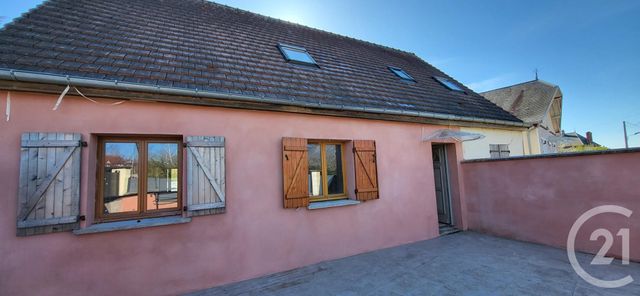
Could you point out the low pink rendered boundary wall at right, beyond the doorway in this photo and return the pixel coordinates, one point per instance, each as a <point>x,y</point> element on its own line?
<point>538,200</point>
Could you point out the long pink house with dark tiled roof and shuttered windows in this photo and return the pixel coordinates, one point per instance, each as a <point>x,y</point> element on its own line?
<point>160,147</point>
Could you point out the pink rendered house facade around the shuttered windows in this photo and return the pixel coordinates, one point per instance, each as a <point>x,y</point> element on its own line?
<point>256,235</point>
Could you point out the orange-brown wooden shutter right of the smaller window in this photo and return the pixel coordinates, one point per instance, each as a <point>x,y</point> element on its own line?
<point>366,171</point>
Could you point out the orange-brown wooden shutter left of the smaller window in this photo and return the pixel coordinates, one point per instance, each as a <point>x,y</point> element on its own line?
<point>295,168</point>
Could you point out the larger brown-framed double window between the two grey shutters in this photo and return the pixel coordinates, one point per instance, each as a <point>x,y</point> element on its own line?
<point>139,177</point>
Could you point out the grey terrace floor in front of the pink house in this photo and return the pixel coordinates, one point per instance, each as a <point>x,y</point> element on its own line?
<point>465,263</point>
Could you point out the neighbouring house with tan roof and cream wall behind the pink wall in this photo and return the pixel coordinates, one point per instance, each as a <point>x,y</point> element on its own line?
<point>537,103</point>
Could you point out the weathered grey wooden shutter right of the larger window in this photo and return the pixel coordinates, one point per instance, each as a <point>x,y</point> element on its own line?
<point>205,175</point>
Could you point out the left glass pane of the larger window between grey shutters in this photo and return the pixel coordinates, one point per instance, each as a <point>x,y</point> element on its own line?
<point>120,181</point>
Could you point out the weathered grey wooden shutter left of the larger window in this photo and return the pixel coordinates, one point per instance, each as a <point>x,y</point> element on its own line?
<point>49,193</point>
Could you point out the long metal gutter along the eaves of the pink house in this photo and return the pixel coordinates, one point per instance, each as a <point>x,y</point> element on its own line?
<point>48,78</point>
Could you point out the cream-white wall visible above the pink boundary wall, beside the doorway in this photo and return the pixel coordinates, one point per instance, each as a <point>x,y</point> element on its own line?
<point>480,148</point>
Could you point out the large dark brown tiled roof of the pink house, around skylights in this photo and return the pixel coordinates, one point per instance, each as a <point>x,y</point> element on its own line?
<point>198,44</point>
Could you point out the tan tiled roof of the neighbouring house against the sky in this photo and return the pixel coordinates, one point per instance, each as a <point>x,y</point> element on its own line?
<point>528,101</point>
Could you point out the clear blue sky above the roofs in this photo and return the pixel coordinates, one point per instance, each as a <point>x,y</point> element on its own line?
<point>591,49</point>
